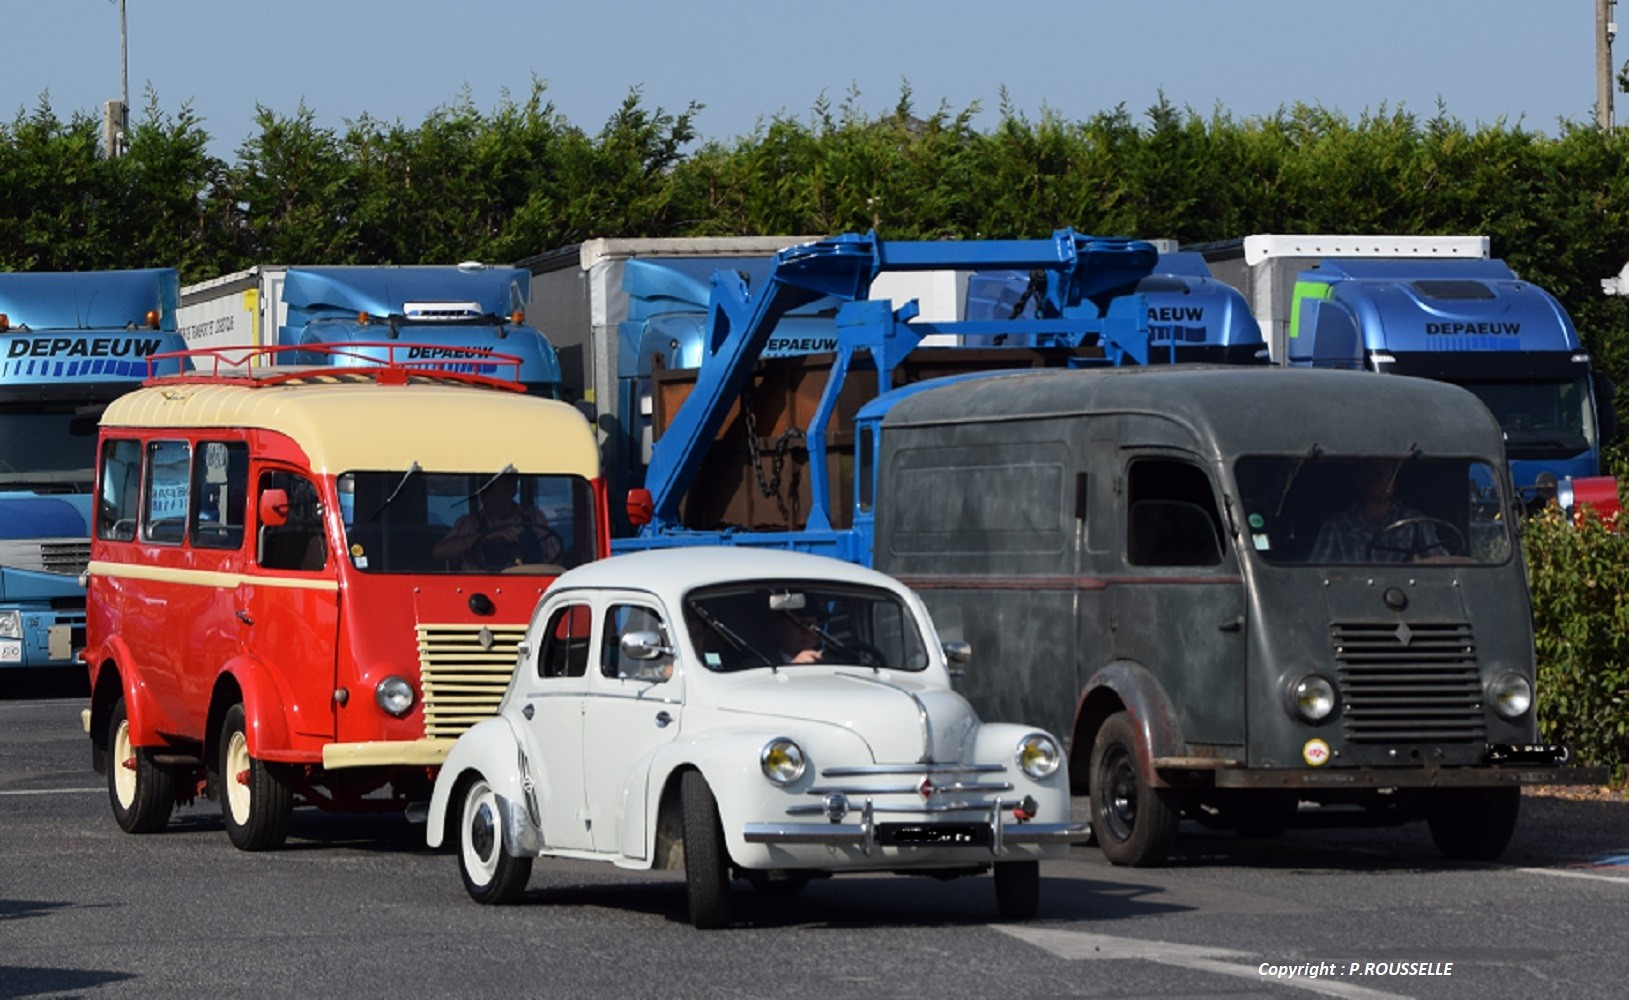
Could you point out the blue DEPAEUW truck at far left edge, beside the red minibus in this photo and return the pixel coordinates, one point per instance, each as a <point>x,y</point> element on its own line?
<point>71,344</point>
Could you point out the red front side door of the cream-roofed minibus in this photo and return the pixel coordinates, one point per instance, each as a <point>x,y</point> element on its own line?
<point>289,608</point>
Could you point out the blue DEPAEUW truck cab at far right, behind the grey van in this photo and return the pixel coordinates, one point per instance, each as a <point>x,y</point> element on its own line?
<point>1472,323</point>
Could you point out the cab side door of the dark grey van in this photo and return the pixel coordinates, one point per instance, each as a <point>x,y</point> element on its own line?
<point>1180,603</point>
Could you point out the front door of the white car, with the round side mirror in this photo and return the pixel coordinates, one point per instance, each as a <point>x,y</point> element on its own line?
<point>633,709</point>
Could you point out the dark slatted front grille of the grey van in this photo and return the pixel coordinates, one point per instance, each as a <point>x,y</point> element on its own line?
<point>1410,682</point>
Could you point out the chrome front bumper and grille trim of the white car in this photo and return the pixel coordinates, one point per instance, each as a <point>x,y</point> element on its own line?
<point>960,810</point>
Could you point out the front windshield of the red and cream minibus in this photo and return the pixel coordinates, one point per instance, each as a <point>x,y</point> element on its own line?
<point>416,522</point>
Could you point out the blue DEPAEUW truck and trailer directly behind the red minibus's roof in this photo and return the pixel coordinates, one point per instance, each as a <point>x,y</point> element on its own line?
<point>424,314</point>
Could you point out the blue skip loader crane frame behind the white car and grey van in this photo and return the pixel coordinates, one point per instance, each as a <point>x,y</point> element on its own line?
<point>742,410</point>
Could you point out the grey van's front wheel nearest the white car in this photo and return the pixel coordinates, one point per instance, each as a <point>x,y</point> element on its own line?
<point>1136,823</point>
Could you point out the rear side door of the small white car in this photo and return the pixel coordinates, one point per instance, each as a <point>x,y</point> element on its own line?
<point>555,721</point>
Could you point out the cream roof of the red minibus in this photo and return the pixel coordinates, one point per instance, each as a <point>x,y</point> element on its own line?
<point>364,426</point>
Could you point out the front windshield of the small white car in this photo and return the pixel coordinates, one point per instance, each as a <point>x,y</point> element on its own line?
<point>789,623</point>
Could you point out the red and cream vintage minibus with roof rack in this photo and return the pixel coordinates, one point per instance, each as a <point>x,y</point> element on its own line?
<point>307,582</point>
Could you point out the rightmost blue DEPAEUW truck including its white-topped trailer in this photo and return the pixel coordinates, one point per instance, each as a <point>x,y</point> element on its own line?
<point>1442,309</point>
